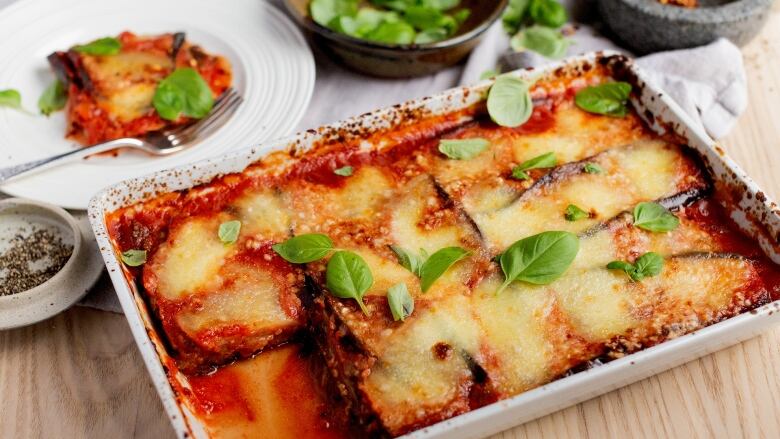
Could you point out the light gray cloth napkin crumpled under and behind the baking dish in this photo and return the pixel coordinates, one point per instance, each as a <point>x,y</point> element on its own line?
<point>708,82</point>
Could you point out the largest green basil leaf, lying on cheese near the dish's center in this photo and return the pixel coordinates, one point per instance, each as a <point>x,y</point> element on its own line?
<point>539,259</point>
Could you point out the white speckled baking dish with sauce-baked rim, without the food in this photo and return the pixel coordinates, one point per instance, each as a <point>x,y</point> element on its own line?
<point>755,213</point>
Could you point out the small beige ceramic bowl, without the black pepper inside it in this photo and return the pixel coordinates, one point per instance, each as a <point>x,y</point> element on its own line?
<point>61,290</point>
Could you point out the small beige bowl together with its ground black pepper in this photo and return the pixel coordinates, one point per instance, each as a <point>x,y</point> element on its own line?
<point>40,246</point>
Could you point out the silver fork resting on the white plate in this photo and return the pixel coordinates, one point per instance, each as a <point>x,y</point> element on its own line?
<point>158,143</point>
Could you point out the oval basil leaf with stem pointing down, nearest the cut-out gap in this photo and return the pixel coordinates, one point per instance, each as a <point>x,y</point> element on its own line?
<point>348,277</point>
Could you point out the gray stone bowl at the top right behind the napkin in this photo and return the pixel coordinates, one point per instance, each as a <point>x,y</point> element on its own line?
<point>648,26</point>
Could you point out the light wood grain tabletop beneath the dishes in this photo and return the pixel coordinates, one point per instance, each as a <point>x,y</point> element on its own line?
<point>80,373</point>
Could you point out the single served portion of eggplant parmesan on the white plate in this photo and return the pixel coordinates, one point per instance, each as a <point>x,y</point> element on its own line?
<point>110,94</point>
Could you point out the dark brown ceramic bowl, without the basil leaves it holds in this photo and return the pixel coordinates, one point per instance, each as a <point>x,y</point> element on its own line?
<point>394,61</point>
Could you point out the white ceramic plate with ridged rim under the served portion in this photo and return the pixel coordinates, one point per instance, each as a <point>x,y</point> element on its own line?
<point>273,69</point>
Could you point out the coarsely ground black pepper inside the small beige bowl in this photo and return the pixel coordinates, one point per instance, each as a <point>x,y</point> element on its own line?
<point>31,260</point>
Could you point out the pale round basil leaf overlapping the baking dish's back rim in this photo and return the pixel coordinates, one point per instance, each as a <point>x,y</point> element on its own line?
<point>509,102</point>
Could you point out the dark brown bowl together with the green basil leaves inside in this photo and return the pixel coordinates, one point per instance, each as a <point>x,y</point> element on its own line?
<point>396,38</point>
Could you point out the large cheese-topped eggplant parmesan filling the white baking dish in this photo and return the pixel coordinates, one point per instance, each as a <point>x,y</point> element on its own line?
<point>463,346</point>
